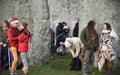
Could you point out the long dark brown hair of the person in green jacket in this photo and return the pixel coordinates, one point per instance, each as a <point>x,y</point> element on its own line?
<point>91,29</point>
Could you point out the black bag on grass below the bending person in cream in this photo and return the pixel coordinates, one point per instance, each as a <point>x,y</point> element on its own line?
<point>76,64</point>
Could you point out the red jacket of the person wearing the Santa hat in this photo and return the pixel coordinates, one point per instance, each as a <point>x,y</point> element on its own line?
<point>13,33</point>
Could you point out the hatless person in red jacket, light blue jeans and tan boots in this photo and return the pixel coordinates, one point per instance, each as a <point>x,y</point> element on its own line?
<point>23,39</point>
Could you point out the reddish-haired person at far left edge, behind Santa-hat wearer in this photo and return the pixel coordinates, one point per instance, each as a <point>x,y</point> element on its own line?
<point>4,45</point>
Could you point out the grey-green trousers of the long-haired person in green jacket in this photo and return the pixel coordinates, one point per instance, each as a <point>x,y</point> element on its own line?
<point>88,61</point>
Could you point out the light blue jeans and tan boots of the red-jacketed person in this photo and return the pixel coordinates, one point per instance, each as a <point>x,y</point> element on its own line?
<point>24,61</point>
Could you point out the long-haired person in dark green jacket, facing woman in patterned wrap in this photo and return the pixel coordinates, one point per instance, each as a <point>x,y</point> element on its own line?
<point>89,38</point>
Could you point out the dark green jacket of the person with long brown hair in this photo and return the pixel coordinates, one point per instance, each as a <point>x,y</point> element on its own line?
<point>86,41</point>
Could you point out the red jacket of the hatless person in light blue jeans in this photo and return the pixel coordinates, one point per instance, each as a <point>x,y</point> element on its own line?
<point>23,39</point>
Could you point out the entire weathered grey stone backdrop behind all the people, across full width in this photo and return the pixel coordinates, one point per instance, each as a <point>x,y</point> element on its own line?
<point>36,12</point>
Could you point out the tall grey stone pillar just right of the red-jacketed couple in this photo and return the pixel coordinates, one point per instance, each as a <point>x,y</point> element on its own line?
<point>41,35</point>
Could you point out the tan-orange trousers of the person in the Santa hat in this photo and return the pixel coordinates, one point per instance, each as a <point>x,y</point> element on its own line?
<point>15,59</point>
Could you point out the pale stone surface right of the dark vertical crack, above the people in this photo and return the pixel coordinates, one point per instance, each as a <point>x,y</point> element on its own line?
<point>85,10</point>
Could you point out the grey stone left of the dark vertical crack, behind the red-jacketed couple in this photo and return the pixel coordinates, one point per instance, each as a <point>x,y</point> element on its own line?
<point>36,13</point>
